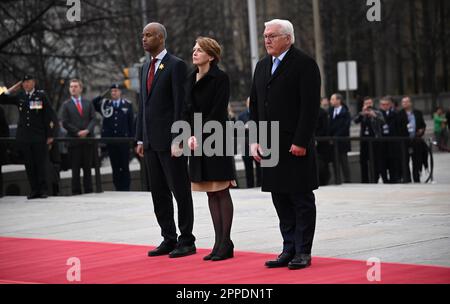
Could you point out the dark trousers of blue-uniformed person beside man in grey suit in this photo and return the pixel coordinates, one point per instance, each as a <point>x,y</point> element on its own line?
<point>119,156</point>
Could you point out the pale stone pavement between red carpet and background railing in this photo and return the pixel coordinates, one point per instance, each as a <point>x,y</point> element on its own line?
<point>395,223</point>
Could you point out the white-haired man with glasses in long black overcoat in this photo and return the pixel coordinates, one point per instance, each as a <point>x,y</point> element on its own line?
<point>286,88</point>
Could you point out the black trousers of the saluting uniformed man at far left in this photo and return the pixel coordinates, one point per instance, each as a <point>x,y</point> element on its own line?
<point>35,157</point>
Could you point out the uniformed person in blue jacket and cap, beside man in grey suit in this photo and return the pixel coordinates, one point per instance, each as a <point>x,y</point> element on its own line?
<point>117,114</point>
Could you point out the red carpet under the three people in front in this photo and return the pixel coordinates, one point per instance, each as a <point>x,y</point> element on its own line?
<point>44,261</point>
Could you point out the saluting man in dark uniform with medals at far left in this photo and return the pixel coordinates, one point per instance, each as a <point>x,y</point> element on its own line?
<point>35,131</point>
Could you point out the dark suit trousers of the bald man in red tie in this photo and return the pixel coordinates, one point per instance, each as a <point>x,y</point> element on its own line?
<point>170,175</point>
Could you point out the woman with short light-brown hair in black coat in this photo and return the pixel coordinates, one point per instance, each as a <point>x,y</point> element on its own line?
<point>207,93</point>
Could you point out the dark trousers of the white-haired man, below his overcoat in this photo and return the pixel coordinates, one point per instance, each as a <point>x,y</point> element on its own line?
<point>297,215</point>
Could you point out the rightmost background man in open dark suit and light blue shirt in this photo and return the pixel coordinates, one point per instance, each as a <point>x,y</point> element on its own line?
<point>411,124</point>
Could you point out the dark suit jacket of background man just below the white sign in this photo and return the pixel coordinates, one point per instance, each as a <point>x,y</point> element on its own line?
<point>340,127</point>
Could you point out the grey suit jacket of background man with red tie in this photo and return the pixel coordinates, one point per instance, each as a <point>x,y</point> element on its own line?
<point>73,122</point>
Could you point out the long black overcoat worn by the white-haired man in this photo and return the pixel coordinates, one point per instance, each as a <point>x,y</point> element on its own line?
<point>291,96</point>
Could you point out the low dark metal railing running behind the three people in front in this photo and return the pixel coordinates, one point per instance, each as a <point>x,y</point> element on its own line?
<point>404,141</point>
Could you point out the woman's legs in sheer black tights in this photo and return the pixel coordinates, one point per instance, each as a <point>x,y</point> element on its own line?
<point>221,208</point>
